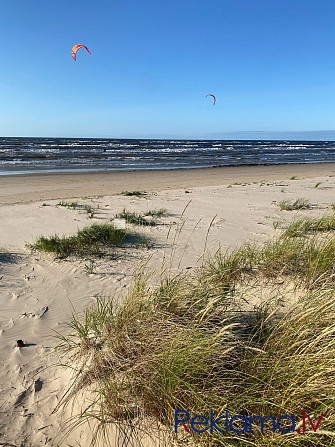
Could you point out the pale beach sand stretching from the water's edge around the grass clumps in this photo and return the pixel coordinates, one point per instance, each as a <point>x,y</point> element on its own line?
<point>38,294</point>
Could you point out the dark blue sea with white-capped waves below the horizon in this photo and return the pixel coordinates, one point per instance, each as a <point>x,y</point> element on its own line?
<point>39,155</point>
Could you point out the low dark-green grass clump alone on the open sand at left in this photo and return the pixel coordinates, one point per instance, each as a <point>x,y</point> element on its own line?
<point>94,240</point>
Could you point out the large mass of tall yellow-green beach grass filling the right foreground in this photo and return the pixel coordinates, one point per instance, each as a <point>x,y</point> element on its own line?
<point>188,343</point>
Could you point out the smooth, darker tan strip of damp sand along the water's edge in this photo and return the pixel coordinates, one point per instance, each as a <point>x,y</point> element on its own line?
<point>27,188</point>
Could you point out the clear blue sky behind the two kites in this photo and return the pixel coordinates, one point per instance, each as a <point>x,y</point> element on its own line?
<point>270,63</point>
